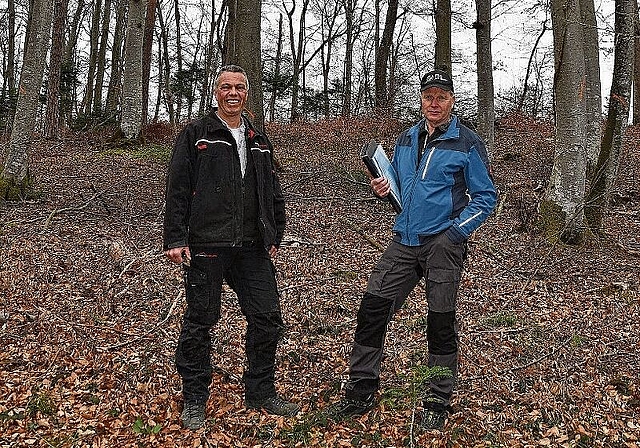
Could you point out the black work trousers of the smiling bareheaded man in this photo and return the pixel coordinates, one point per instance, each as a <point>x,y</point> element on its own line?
<point>251,274</point>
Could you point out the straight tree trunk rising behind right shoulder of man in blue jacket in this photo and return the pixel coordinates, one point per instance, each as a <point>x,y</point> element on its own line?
<point>486,110</point>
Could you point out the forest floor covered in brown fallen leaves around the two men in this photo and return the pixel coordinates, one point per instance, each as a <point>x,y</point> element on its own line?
<point>90,309</point>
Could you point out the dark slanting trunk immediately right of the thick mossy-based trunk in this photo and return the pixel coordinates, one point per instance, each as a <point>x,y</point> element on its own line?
<point>619,100</point>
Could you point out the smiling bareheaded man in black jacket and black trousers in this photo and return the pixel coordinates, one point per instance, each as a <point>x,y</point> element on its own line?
<point>224,220</point>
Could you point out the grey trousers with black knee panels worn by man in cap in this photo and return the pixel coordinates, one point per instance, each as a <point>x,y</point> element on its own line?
<point>440,262</point>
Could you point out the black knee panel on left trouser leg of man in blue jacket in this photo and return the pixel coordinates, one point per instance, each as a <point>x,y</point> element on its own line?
<point>373,317</point>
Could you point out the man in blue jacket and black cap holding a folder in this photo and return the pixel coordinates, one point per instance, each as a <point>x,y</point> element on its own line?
<point>446,193</point>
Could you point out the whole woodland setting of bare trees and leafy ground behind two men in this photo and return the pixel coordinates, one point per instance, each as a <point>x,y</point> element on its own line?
<point>91,102</point>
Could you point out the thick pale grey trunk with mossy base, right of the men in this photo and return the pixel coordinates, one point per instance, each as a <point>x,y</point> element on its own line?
<point>563,208</point>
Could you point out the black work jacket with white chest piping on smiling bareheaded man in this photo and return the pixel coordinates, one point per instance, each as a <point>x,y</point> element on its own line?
<point>205,187</point>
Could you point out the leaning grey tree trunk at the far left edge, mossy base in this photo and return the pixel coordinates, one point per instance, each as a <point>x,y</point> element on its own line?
<point>14,173</point>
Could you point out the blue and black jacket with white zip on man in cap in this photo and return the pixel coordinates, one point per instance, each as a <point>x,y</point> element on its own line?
<point>450,189</point>
